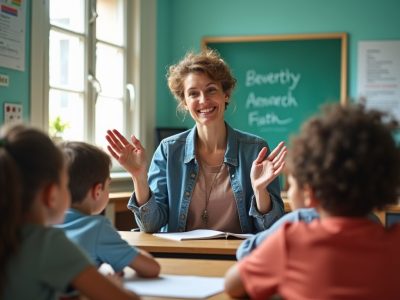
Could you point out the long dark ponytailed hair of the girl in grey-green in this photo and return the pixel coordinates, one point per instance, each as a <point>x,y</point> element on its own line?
<point>29,161</point>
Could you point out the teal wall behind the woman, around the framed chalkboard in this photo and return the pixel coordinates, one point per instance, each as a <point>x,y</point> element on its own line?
<point>183,23</point>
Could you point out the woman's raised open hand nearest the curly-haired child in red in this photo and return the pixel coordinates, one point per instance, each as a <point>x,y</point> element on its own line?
<point>265,169</point>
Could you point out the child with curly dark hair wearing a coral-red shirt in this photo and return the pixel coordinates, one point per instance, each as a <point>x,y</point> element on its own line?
<point>345,164</point>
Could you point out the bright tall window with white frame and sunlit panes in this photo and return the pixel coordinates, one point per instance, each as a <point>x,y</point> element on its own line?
<point>87,68</point>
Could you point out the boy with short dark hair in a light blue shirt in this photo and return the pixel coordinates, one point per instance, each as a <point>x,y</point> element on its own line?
<point>89,173</point>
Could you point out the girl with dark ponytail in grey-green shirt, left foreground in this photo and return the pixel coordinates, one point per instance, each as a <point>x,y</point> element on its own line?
<point>37,261</point>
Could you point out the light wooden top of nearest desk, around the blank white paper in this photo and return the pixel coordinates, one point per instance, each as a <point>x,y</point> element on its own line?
<point>196,267</point>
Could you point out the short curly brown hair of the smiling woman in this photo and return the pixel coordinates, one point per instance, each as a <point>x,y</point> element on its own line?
<point>208,62</point>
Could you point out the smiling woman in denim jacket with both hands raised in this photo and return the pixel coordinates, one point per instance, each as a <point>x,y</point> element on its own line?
<point>211,176</point>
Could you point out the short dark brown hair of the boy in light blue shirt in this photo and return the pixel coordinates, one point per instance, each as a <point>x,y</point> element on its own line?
<point>88,165</point>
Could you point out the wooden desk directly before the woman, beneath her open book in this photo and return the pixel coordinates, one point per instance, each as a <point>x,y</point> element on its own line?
<point>159,247</point>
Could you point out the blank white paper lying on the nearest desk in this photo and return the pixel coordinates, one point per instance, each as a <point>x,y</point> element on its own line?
<point>176,286</point>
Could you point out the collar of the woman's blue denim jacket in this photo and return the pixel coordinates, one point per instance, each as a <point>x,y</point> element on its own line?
<point>231,148</point>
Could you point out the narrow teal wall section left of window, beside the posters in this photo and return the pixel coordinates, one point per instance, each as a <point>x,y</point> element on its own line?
<point>18,90</point>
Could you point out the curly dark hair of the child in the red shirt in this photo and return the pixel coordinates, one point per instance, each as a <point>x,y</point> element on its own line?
<point>349,158</point>
